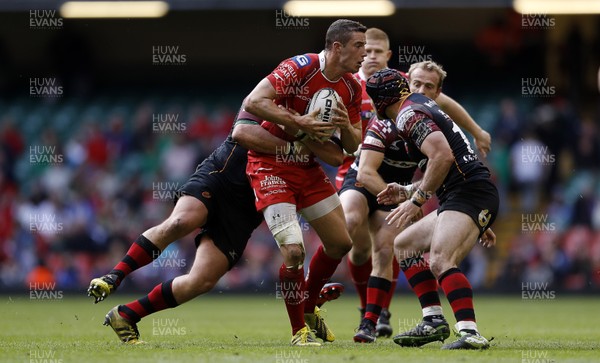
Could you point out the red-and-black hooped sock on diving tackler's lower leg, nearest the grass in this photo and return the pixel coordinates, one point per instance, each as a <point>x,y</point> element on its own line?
<point>160,298</point>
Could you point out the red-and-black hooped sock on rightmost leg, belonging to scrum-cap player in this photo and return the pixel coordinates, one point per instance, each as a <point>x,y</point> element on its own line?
<point>459,293</point>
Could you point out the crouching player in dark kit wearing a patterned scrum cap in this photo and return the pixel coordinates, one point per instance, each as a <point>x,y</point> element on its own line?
<point>467,197</point>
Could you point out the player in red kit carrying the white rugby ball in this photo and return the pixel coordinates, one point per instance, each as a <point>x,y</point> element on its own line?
<point>285,187</point>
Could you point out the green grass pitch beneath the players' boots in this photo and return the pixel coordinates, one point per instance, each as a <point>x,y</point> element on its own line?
<point>254,328</point>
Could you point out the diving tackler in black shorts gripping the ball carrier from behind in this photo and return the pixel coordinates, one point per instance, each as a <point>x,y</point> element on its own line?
<point>216,198</point>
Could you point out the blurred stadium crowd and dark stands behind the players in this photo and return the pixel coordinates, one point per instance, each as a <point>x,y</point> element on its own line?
<point>84,171</point>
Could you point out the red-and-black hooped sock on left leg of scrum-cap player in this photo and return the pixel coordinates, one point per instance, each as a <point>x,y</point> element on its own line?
<point>422,281</point>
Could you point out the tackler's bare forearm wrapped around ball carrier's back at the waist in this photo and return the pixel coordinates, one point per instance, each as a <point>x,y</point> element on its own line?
<point>254,137</point>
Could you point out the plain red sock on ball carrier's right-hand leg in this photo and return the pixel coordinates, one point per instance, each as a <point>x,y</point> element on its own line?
<point>320,270</point>
